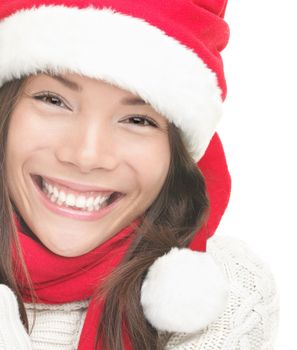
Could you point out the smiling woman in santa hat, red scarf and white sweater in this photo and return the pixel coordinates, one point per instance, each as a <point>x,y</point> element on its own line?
<point>113,180</point>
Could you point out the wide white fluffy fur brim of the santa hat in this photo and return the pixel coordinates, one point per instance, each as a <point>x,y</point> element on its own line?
<point>129,53</point>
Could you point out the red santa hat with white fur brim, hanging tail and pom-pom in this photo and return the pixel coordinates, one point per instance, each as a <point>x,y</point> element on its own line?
<point>168,53</point>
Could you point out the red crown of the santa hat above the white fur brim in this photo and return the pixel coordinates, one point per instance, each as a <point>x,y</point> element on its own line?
<point>197,24</point>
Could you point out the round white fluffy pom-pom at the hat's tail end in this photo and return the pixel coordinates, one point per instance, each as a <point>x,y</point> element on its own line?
<point>184,291</point>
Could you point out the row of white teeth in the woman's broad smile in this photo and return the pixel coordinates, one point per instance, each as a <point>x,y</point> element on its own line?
<point>89,203</point>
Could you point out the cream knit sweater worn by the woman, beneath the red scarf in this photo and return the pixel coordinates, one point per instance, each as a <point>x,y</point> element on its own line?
<point>249,322</point>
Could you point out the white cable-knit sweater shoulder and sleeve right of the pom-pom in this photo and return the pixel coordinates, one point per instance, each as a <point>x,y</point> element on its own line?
<point>250,320</point>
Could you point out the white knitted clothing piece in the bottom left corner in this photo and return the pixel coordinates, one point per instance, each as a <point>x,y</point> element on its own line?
<point>13,335</point>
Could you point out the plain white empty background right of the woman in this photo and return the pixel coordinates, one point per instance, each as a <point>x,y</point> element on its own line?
<point>259,136</point>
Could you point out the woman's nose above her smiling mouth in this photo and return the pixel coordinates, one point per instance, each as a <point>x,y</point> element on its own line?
<point>88,147</point>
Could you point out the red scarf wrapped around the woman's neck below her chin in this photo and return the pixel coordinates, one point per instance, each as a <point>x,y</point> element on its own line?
<point>60,279</point>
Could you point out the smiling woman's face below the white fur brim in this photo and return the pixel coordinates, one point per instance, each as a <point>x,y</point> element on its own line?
<point>96,136</point>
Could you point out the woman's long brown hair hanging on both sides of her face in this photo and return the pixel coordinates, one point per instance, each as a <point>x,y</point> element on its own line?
<point>180,209</point>
